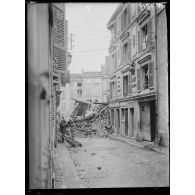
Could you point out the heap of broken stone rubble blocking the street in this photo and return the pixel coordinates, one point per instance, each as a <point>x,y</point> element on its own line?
<point>94,123</point>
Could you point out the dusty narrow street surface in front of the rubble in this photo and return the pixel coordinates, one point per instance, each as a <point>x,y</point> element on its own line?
<point>103,162</point>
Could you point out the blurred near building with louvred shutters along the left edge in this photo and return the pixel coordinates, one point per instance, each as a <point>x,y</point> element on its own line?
<point>47,72</point>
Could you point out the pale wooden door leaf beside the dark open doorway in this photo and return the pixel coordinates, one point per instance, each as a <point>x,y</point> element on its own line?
<point>145,121</point>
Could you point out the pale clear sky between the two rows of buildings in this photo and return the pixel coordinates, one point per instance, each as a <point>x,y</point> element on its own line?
<point>87,21</point>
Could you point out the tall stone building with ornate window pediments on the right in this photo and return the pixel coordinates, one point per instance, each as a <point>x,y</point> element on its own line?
<point>134,79</point>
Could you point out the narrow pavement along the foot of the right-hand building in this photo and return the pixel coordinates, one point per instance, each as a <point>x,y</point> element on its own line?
<point>143,144</point>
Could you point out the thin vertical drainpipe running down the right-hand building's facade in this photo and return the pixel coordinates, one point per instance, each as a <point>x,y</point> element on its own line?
<point>156,68</point>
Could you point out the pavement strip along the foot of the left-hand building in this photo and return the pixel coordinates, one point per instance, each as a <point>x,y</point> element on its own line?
<point>65,171</point>
